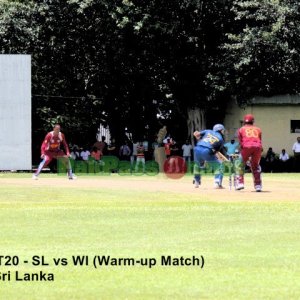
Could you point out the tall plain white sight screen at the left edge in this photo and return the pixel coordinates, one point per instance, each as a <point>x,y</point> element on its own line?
<point>15,112</point>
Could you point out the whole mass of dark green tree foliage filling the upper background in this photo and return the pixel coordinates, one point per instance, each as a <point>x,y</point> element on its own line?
<point>123,62</point>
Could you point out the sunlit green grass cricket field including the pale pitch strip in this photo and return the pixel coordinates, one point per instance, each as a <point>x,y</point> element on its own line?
<point>251,248</point>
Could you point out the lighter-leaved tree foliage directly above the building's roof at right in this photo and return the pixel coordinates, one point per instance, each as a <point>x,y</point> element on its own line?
<point>264,48</point>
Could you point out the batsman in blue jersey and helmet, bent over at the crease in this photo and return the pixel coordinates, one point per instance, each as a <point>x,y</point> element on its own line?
<point>208,143</point>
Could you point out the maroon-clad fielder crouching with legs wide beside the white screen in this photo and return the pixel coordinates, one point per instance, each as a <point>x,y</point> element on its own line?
<point>51,149</point>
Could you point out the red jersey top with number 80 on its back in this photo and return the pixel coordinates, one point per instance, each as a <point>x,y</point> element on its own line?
<point>250,136</point>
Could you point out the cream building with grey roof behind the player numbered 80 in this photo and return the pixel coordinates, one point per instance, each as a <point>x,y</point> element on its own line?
<point>277,116</point>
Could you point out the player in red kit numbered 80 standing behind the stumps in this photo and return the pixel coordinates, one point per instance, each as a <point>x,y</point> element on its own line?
<point>251,147</point>
